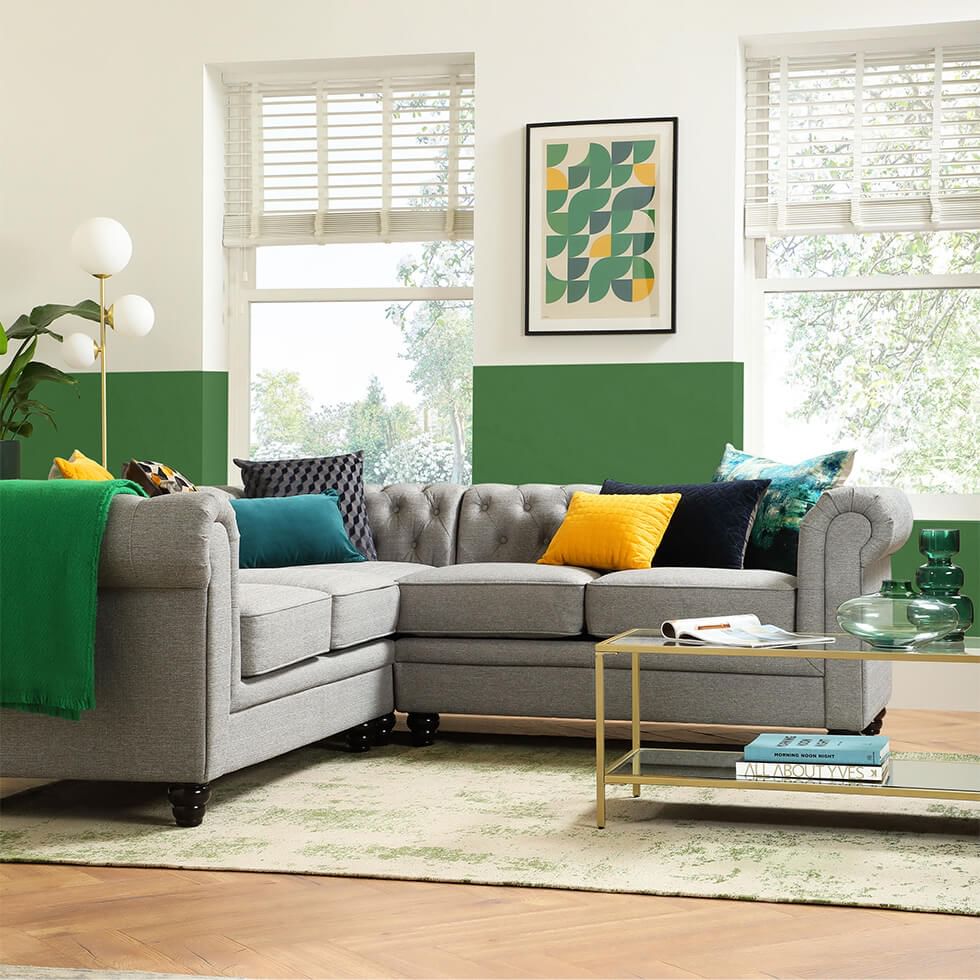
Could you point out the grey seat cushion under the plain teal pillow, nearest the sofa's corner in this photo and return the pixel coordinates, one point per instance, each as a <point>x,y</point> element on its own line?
<point>363,596</point>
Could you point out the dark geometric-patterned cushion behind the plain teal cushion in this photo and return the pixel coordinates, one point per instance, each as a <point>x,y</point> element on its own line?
<point>290,477</point>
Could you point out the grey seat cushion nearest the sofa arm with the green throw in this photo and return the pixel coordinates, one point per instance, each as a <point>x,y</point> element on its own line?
<point>281,625</point>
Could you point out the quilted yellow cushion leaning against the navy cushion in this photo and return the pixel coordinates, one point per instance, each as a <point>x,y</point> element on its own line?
<point>611,531</point>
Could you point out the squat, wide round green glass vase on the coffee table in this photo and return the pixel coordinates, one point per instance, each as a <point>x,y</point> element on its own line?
<point>900,623</point>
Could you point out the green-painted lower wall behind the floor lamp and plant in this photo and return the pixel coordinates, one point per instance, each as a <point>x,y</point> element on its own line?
<point>176,417</point>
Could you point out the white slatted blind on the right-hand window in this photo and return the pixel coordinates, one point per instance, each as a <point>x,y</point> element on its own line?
<point>868,140</point>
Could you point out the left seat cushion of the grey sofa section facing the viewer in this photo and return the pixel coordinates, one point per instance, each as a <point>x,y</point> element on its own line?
<point>495,599</point>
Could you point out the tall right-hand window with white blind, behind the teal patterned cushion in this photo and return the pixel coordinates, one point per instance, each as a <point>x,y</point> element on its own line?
<point>863,218</point>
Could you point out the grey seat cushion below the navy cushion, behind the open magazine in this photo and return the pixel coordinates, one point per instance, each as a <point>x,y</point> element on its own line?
<point>645,597</point>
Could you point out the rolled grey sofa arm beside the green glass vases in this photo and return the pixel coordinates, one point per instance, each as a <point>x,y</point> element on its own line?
<point>846,543</point>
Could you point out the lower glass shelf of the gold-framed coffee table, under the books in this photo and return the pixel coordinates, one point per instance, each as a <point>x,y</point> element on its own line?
<point>952,774</point>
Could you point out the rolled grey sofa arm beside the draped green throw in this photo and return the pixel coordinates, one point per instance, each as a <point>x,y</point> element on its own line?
<point>163,542</point>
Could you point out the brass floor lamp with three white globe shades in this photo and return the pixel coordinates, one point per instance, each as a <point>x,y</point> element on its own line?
<point>102,247</point>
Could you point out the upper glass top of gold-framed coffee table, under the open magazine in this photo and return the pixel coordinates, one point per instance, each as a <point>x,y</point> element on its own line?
<point>844,647</point>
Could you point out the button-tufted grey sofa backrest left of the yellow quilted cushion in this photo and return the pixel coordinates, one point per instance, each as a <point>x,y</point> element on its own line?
<point>444,524</point>
